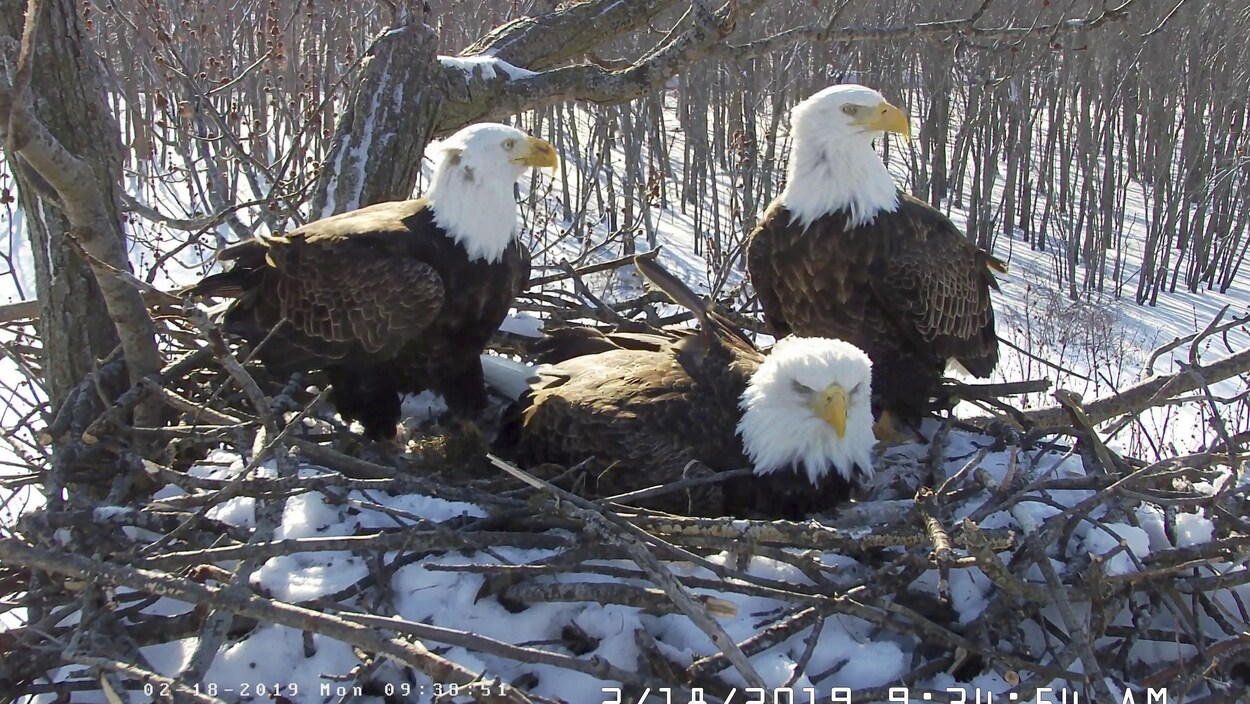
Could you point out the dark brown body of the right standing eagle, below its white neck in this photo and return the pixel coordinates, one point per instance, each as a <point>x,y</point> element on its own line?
<point>909,289</point>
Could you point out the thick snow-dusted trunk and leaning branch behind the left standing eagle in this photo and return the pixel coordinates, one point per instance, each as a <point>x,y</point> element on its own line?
<point>407,96</point>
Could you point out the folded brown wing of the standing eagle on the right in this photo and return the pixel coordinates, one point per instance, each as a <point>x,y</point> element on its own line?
<point>937,283</point>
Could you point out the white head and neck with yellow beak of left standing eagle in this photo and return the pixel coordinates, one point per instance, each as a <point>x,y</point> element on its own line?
<point>472,192</point>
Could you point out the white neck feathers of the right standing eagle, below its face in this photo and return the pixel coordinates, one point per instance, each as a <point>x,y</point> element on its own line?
<point>827,177</point>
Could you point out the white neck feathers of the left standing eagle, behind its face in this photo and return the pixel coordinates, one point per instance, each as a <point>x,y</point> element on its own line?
<point>474,206</point>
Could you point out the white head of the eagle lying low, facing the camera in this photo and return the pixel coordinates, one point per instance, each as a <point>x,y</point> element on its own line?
<point>811,402</point>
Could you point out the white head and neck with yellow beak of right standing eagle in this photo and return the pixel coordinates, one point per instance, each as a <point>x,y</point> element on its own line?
<point>833,164</point>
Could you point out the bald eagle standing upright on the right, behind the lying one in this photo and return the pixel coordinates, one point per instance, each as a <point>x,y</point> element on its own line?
<point>843,253</point>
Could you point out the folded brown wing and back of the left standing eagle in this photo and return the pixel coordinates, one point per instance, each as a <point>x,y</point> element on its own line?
<point>361,283</point>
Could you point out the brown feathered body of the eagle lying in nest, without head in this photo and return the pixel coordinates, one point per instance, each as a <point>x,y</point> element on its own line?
<point>638,410</point>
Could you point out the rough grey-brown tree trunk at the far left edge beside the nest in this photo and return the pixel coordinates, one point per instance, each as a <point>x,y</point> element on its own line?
<point>62,141</point>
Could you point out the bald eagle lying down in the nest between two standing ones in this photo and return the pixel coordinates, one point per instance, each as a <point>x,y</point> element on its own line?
<point>638,410</point>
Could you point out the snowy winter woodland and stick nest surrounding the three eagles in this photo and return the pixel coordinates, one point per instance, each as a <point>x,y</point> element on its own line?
<point>181,523</point>
